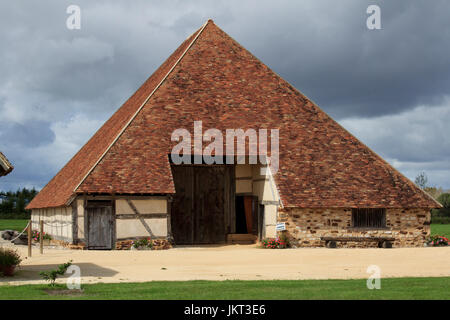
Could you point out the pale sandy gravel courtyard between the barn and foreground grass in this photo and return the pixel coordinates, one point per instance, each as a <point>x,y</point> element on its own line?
<point>236,262</point>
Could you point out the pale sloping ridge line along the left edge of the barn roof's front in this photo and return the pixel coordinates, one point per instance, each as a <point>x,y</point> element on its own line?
<point>142,106</point>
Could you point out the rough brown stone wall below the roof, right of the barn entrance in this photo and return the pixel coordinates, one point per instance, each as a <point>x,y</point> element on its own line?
<point>409,227</point>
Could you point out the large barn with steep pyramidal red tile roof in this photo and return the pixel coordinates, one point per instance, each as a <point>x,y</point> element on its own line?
<point>327,187</point>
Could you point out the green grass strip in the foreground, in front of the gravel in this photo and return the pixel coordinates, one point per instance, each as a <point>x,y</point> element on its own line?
<point>394,288</point>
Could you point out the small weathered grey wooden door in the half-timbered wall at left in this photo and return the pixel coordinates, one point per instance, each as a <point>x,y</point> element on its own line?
<point>99,226</point>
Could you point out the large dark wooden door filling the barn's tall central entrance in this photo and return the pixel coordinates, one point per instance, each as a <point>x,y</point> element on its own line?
<point>202,203</point>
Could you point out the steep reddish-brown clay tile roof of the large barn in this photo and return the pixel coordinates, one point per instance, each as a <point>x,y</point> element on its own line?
<point>212,78</point>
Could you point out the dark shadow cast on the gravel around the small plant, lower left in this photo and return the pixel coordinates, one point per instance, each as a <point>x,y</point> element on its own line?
<point>31,272</point>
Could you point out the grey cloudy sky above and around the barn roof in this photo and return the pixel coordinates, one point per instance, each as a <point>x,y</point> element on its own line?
<point>389,87</point>
